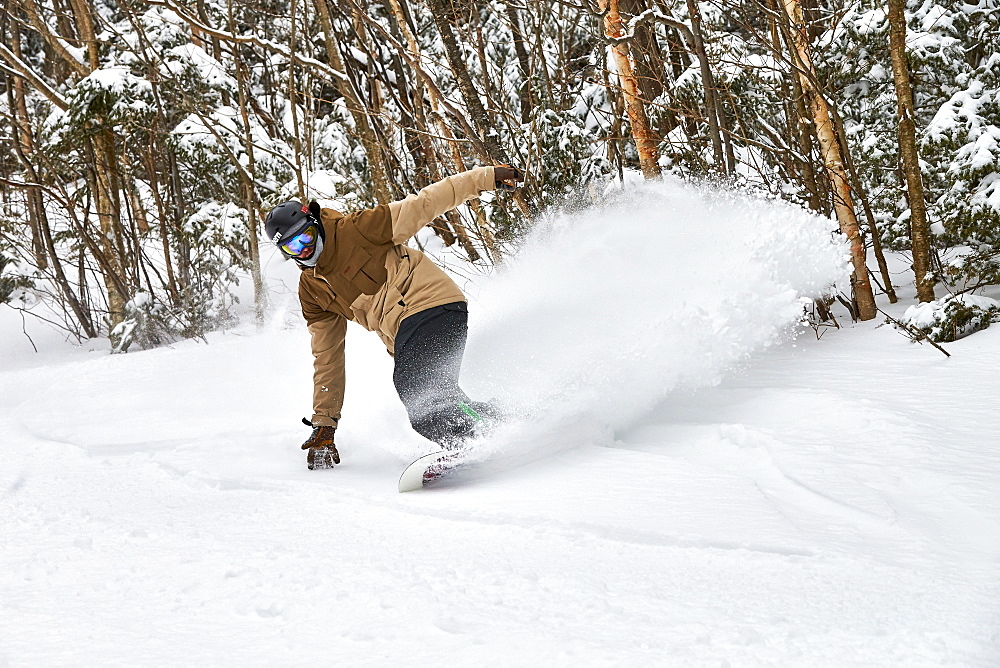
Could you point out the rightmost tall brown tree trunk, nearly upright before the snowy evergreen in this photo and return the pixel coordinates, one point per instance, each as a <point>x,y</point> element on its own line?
<point>919,233</point>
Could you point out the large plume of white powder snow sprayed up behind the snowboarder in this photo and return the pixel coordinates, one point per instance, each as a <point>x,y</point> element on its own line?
<point>606,310</point>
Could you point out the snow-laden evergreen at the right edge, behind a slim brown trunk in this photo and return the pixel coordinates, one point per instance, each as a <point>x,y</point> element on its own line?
<point>952,50</point>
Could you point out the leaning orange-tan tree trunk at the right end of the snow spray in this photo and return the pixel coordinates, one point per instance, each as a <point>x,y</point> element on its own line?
<point>833,161</point>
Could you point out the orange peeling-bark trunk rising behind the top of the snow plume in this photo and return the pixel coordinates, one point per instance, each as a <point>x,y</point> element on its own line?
<point>646,141</point>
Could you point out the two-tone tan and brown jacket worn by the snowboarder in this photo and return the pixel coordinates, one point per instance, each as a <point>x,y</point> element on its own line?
<point>365,273</point>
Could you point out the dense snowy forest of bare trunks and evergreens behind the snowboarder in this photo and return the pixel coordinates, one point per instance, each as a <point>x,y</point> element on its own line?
<point>143,142</point>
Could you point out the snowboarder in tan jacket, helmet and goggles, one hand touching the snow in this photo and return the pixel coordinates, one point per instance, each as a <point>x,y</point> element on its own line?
<point>357,267</point>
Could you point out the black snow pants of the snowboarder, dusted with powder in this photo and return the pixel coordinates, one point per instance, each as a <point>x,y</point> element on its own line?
<point>428,354</point>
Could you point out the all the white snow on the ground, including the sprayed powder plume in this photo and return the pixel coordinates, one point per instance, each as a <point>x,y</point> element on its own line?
<point>690,483</point>
